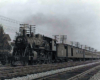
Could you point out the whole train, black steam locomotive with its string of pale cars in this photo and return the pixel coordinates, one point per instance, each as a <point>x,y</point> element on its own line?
<point>30,48</point>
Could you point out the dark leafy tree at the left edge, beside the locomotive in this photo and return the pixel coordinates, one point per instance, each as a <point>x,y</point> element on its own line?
<point>5,47</point>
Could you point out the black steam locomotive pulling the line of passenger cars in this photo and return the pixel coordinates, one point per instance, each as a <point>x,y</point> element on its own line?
<point>32,48</point>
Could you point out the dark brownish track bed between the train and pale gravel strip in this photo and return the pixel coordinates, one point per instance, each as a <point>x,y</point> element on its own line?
<point>14,72</point>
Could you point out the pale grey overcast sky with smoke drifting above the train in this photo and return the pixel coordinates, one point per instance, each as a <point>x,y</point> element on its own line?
<point>78,19</point>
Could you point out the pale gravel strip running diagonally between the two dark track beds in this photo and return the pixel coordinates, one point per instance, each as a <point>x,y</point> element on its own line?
<point>38,75</point>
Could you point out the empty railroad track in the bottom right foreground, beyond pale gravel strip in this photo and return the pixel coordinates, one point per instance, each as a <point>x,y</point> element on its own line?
<point>74,73</point>
